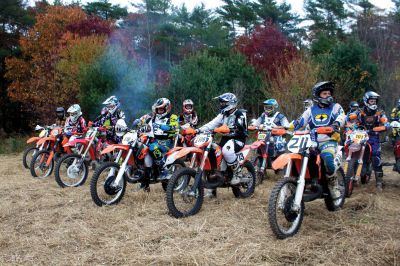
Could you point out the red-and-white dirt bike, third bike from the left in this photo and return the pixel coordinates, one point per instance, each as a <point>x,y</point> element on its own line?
<point>72,168</point>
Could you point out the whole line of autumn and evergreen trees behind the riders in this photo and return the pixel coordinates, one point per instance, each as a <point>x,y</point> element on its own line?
<point>58,54</point>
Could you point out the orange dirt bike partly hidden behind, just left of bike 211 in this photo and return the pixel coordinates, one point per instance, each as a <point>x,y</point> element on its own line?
<point>265,138</point>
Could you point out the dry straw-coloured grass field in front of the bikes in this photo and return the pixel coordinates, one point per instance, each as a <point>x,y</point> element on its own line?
<point>41,223</point>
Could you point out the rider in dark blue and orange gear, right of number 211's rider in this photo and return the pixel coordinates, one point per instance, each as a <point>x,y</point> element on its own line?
<point>371,116</point>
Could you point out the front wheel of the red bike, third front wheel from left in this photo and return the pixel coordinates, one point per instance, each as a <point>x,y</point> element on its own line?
<point>71,171</point>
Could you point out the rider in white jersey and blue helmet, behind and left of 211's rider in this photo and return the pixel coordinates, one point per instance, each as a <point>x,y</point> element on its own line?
<point>272,118</point>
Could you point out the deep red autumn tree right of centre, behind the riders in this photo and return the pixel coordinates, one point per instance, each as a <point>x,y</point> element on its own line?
<point>267,49</point>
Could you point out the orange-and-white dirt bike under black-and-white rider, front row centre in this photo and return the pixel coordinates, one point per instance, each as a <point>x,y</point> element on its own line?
<point>208,169</point>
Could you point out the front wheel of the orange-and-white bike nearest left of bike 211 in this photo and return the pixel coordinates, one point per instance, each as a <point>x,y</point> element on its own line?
<point>182,199</point>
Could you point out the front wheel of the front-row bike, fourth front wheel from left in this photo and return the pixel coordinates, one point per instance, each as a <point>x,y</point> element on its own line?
<point>102,187</point>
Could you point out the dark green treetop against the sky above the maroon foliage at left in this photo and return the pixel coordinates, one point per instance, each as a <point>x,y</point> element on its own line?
<point>105,10</point>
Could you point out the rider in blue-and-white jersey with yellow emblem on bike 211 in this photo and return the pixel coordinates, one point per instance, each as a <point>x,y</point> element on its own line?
<point>325,113</point>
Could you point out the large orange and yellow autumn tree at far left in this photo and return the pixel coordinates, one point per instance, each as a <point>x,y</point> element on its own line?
<point>51,58</point>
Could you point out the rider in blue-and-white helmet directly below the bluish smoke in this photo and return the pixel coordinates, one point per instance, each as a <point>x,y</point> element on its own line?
<point>109,116</point>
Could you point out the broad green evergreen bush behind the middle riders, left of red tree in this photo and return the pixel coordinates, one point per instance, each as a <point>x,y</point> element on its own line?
<point>203,76</point>
